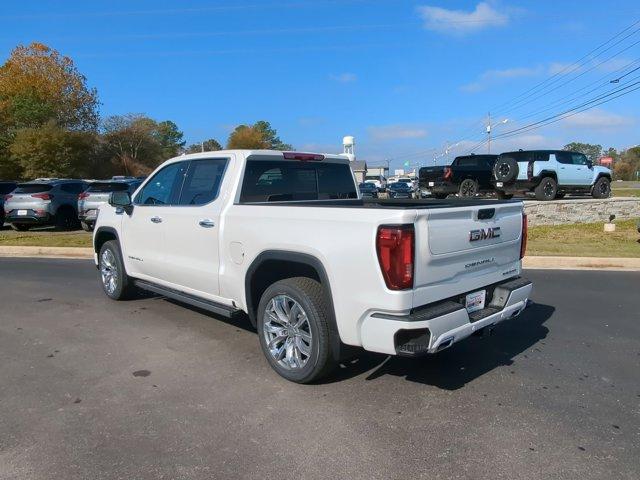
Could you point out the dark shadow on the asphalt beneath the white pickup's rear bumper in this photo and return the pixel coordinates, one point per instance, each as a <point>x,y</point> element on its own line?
<point>453,368</point>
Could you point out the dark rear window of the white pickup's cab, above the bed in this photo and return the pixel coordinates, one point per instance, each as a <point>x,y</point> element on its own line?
<point>282,181</point>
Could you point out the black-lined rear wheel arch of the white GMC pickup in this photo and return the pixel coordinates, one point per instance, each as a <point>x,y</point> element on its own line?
<point>273,265</point>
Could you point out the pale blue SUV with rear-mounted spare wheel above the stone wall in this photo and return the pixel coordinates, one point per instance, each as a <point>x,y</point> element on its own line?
<point>549,174</point>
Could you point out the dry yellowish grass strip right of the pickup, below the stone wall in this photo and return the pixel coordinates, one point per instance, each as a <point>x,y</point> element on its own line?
<point>585,240</point>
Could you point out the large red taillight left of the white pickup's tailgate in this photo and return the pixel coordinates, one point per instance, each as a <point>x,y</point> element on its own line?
<point>395,246</point>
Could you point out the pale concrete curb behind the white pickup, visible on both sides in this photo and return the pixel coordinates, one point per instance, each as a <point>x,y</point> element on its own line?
<point>549,263</point>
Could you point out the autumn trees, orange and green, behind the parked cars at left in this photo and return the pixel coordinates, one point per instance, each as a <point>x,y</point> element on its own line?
<point>50,125</point>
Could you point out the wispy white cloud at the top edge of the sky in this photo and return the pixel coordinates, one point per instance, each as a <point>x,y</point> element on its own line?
<point>460,22</point>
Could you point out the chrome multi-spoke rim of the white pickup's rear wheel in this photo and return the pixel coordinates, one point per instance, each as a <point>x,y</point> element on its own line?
<point>287,332</point>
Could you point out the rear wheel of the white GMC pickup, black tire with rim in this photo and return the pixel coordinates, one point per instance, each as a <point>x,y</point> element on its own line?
<point>311,298</point>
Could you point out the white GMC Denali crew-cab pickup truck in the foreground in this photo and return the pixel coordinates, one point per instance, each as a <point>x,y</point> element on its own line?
<point>285,238</point>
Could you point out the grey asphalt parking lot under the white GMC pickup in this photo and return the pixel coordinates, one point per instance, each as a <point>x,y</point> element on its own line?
<point>93,389</point>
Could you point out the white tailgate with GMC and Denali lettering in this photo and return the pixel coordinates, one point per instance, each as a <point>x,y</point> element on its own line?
<point>459,249</point>
